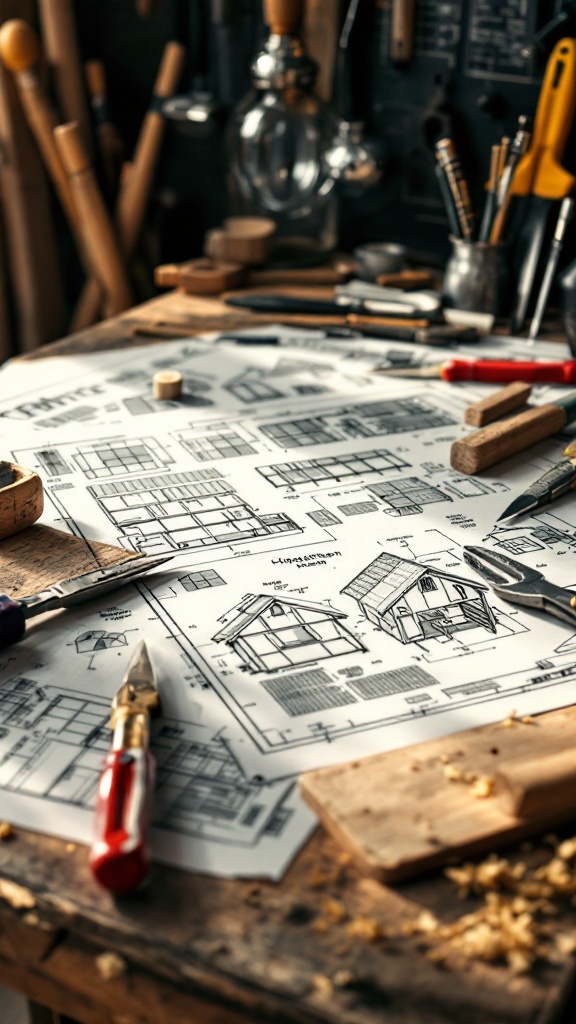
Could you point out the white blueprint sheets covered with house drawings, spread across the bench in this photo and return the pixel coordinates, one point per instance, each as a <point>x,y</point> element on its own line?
<point>316,608</point>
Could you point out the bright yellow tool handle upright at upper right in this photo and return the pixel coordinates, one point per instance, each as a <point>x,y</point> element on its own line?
<point>541,173</point>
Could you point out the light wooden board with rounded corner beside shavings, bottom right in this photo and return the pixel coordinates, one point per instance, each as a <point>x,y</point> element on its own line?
<point>412,810</point>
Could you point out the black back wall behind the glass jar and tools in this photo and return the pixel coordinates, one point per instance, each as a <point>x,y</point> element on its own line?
<point>477,66</point>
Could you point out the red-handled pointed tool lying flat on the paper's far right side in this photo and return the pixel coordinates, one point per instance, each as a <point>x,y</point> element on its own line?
<point>489,371</point>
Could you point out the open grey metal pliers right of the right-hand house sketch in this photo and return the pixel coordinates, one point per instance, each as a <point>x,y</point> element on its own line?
<point>521,585</point>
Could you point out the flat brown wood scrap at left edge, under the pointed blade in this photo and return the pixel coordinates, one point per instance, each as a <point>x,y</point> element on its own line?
<point>40,557</point>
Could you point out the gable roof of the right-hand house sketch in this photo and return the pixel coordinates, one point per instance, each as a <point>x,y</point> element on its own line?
<point>387,580</point>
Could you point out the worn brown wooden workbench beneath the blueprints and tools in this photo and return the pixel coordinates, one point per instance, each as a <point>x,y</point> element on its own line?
<point>200,950</point>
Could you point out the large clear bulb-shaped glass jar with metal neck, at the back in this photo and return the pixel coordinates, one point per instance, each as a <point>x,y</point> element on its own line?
<point>278,137</point>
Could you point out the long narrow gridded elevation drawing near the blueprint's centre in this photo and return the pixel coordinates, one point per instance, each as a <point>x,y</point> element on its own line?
<point>332,470</point>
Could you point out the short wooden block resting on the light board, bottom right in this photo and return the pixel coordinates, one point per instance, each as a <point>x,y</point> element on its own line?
<point>539,787</point>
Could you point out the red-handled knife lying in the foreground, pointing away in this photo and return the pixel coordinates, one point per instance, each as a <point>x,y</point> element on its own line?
<point>119,857</point>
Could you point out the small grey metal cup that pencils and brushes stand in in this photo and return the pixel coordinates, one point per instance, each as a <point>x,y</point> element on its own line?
<point>477,277</point>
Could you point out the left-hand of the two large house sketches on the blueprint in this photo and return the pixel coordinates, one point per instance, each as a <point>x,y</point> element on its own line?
<point>271,633</point>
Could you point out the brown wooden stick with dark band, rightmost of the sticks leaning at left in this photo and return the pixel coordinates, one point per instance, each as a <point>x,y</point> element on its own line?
<point>135,189</point>
